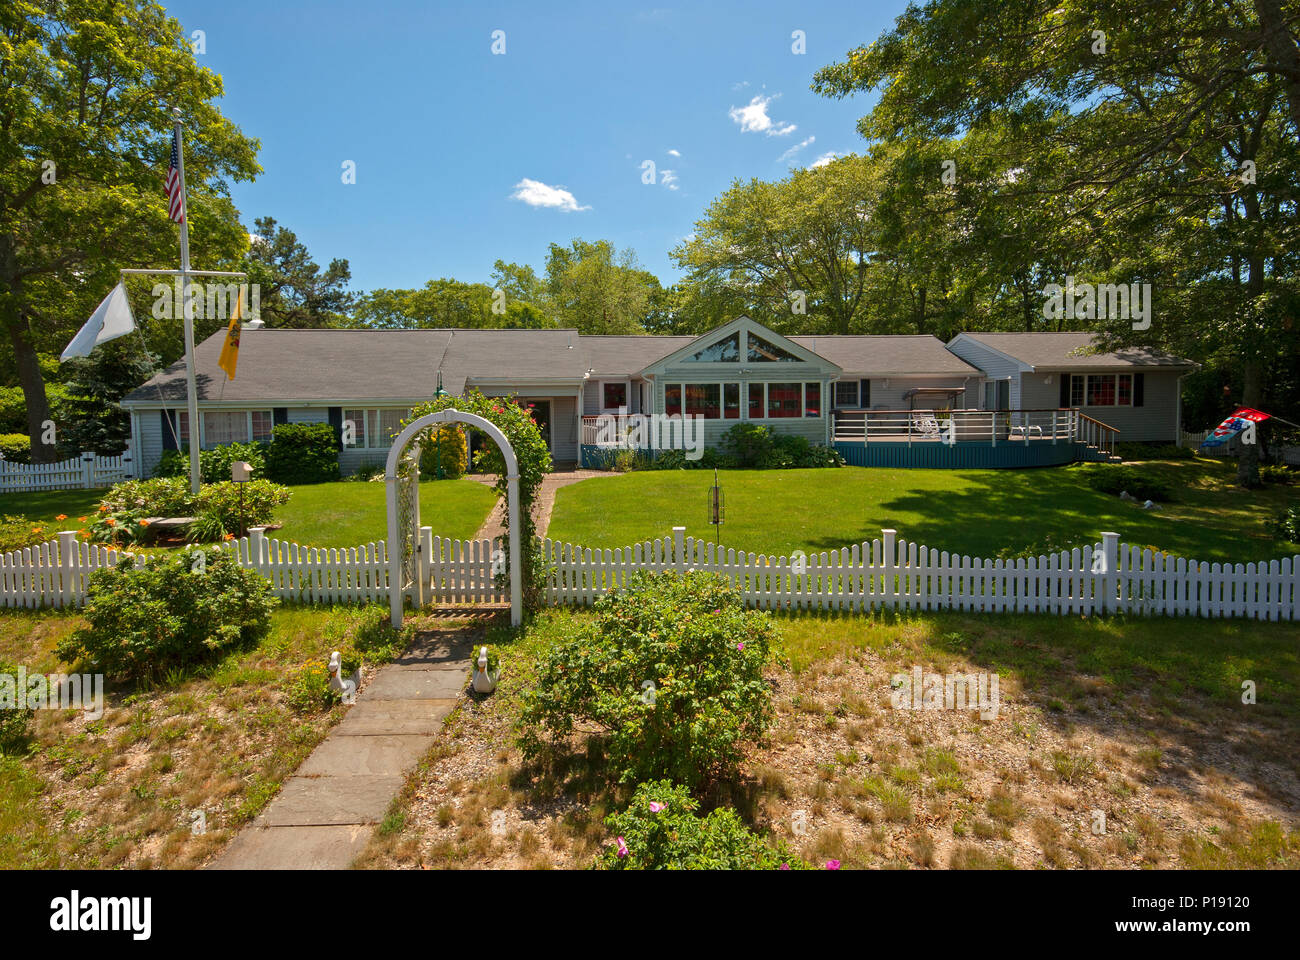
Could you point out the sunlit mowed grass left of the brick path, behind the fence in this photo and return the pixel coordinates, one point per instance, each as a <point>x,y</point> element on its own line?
<point>339,514</point>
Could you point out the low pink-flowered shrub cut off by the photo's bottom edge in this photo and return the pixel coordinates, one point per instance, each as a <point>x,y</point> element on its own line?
<point>671,837</point>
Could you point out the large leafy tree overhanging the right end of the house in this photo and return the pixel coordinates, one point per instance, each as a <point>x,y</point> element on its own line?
<point>1176,124</point>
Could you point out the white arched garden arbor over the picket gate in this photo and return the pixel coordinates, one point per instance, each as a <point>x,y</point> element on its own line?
<point>402,479</point>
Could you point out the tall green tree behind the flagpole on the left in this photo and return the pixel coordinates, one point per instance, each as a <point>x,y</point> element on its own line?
<point>86,97</point>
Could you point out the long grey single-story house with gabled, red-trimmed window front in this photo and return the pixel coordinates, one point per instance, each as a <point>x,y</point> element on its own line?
<point>740,373</point>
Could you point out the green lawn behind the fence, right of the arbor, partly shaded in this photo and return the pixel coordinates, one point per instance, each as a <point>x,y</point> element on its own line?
<point>970,512</point>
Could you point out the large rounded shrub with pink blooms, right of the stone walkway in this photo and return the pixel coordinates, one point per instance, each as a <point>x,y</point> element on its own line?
<point>671,669</point>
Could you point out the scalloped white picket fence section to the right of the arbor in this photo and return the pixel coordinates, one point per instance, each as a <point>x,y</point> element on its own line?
<point>896,576</point>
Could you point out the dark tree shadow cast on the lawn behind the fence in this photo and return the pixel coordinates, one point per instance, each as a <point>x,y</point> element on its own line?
<point>1047,511</point>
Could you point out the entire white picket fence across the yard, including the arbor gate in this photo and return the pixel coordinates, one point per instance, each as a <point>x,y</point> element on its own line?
<point>886,574</point>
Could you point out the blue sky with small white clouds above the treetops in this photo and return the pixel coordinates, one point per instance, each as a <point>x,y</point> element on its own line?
<point>465,157</point>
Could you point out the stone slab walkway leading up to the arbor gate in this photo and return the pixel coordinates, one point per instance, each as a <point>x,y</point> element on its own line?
<point>324,814</point>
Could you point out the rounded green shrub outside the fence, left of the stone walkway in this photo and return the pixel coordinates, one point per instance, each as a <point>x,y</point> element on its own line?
<point>154,615</point>
